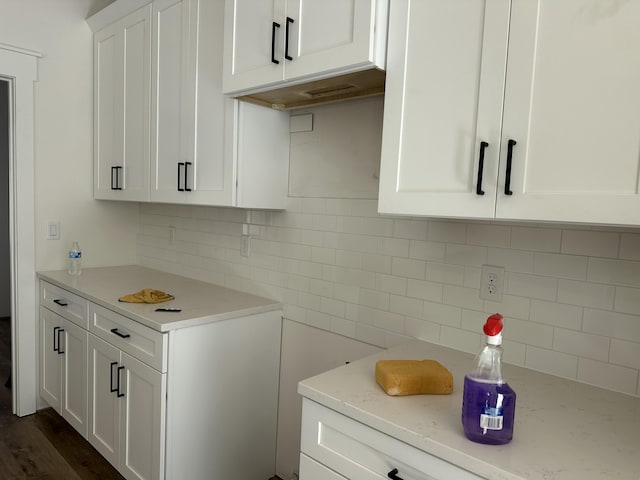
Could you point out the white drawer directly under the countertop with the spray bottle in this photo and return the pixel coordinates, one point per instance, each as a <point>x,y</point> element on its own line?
<point>359,452</point>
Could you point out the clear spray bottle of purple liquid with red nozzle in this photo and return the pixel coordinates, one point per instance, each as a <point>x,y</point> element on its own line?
<point>488,403</point>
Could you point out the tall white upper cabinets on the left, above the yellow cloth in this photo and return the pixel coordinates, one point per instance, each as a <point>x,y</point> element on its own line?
<point>199,146</point>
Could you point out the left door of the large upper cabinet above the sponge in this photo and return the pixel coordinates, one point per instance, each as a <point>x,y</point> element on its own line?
<point>445,79</point>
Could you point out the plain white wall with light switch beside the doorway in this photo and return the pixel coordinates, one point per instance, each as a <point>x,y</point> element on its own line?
<point>63,134</point>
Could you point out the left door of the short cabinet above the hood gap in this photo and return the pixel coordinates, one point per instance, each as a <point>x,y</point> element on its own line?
<point>251,38</point>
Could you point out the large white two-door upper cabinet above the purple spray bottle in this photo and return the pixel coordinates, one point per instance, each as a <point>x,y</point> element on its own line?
<point>540,89</point>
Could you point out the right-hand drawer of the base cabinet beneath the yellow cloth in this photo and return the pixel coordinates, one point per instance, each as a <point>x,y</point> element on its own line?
<point>139,341</point>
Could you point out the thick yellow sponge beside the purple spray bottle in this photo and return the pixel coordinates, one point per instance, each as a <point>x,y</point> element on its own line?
<point>412,377</point>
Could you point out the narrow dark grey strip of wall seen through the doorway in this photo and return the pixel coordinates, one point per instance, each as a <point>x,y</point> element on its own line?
<point>5,273</point>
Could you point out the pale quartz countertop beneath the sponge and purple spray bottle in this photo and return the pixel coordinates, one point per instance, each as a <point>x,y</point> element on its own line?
<point>564,430</point>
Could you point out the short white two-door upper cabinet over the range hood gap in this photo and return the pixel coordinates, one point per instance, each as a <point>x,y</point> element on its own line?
<point>271,42</point>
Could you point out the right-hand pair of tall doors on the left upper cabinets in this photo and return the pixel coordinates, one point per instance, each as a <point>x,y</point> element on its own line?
<point>193,147</point>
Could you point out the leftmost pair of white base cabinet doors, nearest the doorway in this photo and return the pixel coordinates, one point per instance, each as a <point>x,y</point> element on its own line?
<point>63,378</point>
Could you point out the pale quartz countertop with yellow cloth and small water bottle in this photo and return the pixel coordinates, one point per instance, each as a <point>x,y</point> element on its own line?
<point>201,302</point>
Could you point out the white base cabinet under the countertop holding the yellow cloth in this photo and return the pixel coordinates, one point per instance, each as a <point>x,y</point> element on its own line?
<point>191,402</point>
